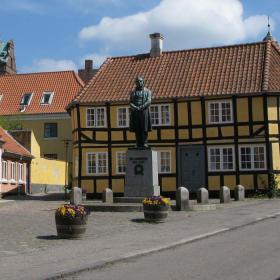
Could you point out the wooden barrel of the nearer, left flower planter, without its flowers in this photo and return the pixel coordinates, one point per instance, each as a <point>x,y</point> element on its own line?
<point>70,228</point>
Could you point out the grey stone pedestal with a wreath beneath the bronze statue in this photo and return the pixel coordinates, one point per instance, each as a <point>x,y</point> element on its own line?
<point>141,177</point>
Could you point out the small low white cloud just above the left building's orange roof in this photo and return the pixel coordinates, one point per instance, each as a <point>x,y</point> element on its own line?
<point>47,64</point>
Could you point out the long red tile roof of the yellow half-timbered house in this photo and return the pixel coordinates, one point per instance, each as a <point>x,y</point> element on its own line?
<point>237,69</point>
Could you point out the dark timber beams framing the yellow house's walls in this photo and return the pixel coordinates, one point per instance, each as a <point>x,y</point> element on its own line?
<point>258,133</point>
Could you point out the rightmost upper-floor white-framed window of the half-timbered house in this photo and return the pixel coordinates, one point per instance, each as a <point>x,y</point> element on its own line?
<point>220,112</point>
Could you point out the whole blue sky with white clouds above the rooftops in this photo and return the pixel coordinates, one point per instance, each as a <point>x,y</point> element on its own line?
<point>54,35</point>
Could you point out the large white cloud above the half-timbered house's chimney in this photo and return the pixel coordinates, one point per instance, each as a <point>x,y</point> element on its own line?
<point>184,24</point>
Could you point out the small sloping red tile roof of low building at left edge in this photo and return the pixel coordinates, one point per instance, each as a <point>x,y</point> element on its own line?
<point>11,145</point>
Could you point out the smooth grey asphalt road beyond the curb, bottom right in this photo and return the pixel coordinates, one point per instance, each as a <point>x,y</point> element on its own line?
<point>248,253</point>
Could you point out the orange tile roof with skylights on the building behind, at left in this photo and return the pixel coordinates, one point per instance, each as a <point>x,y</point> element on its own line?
<point>64,84</point>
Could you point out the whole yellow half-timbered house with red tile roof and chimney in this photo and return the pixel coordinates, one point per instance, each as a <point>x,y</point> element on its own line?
<point>215,115</point>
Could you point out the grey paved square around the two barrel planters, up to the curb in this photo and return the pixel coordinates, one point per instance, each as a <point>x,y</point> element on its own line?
<point>29,248</point>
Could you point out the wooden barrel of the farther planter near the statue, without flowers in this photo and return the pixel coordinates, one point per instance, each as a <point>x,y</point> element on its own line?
<point>155,213</point>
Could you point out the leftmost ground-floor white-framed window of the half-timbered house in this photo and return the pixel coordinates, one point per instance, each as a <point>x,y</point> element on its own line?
<point>97,163</point>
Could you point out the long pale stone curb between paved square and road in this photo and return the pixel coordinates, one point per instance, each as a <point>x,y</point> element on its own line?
<point>111,261</point>
